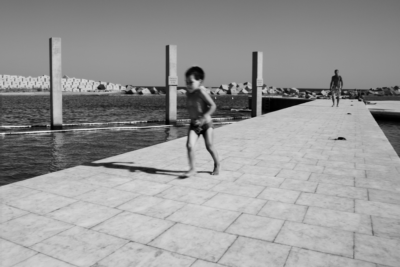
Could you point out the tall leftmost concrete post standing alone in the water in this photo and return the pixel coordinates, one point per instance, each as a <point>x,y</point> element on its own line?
<point>55,83</point>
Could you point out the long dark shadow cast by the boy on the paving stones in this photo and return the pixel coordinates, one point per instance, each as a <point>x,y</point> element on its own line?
<point>150,170</point>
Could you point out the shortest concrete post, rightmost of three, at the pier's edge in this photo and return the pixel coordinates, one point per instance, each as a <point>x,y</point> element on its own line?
<point>257,83</point>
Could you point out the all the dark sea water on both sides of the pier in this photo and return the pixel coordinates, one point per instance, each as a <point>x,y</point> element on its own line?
<point>26,156</point>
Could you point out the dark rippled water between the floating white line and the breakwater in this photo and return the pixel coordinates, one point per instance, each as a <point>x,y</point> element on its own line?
<point>31,110</point>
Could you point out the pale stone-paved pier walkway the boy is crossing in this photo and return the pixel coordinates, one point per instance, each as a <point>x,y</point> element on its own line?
<point>290,195</point>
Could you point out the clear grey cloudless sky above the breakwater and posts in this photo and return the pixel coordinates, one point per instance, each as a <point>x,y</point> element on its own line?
<point>123,41</point>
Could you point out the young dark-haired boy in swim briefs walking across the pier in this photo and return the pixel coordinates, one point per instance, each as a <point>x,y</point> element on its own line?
<point>200,107</point>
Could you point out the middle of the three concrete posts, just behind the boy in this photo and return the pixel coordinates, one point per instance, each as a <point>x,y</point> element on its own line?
<point>171,84</point>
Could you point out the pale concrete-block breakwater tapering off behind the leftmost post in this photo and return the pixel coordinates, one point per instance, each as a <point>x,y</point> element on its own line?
<point>14,83</point>
